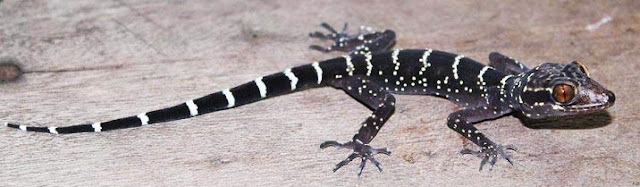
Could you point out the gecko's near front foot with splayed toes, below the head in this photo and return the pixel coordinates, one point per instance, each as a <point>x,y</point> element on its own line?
<point>491,152</point>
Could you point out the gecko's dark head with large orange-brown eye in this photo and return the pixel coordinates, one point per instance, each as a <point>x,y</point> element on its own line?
<point>553,89</point>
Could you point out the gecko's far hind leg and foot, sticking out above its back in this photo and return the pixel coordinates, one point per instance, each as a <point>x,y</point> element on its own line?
<point>364,41</point>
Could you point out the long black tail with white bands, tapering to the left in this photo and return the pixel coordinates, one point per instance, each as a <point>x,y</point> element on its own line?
<point>287,81</point>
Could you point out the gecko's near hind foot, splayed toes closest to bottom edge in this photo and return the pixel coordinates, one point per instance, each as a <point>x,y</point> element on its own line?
<point>362,151</point>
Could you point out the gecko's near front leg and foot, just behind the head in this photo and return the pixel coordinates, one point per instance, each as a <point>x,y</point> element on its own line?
<point>462,122</point>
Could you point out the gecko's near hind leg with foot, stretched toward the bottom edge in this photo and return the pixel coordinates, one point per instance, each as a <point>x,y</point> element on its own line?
<point>383,105</point>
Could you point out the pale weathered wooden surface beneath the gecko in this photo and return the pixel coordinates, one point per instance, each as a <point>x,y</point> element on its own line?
<point>99,60</point>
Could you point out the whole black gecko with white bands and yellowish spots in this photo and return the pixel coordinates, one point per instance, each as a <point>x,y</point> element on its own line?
<point>372,72</point>
